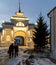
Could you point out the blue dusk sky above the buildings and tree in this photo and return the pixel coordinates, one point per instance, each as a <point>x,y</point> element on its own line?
<point>31,9</point>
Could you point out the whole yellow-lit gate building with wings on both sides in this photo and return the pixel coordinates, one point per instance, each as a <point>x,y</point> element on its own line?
<point>20,29</point>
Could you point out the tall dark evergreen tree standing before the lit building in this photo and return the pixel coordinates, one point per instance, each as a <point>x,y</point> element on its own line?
<point>40,34</point>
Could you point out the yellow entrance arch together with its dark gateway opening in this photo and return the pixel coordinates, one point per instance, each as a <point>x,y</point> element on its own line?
<point>20,35</point>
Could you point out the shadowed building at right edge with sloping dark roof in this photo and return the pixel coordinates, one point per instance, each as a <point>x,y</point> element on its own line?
<point>52,16</point>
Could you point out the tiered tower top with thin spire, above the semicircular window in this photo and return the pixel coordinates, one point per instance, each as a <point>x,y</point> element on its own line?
<point>19,17</point>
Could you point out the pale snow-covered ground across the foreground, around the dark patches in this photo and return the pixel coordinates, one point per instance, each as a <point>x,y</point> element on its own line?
<point>21,59</point>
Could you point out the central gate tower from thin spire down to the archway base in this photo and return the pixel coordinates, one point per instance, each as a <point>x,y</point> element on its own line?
<point>20,28</point>
